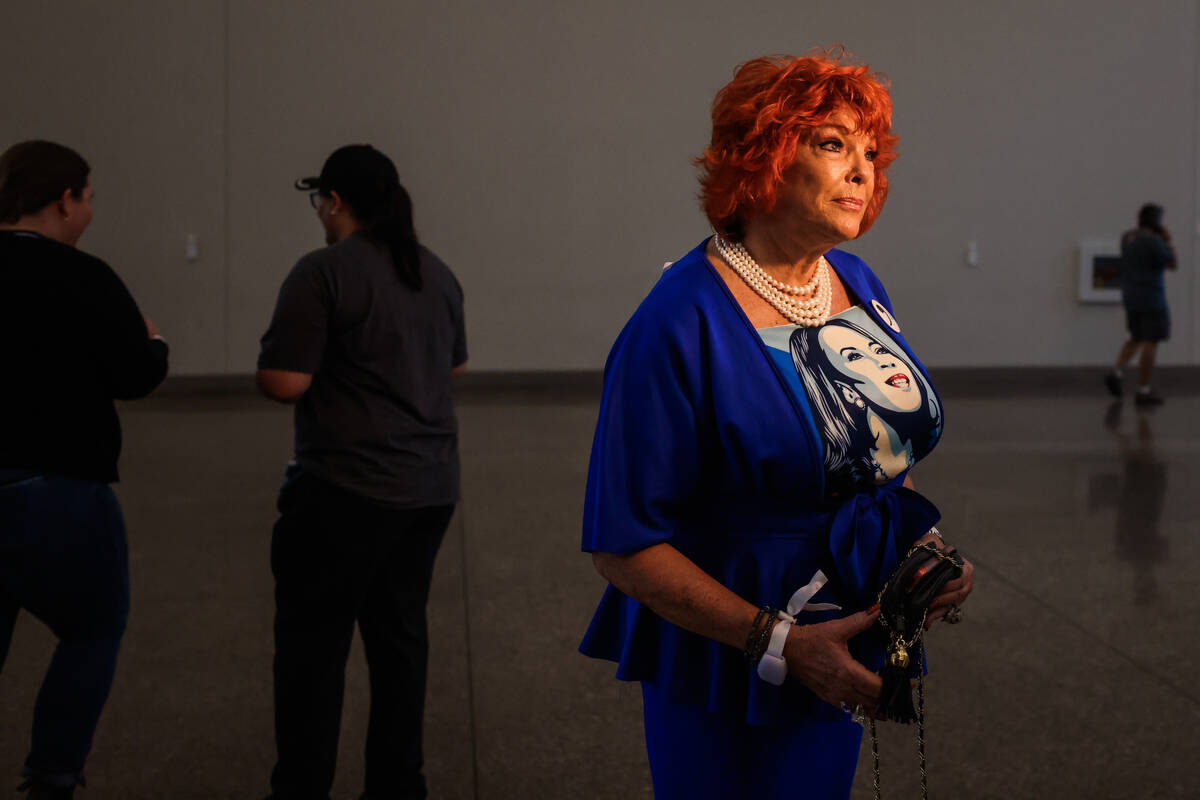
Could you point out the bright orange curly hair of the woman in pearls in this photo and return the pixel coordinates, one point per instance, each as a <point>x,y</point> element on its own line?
<point>766,112</point>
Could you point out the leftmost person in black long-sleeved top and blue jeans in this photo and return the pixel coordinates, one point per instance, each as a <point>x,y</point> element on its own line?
<point>73,341</point>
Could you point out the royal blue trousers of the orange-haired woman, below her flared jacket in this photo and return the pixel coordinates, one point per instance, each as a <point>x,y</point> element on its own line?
<point>701,756</point>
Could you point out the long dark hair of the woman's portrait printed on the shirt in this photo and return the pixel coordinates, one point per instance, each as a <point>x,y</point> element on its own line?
<point>848,436</point>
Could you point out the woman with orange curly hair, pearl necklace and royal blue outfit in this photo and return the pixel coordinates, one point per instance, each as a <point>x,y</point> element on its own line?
<point>748,492</point>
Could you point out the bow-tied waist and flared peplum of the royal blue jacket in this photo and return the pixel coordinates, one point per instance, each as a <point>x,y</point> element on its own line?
<point>856,544</point>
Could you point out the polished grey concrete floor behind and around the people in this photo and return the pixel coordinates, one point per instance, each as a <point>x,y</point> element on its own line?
<point>1072,676</point>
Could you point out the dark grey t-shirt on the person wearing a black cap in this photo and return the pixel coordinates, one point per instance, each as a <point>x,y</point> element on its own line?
<point>379,419</point>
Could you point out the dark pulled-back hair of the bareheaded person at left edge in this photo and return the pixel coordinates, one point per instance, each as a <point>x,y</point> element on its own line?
<point>37,173</point>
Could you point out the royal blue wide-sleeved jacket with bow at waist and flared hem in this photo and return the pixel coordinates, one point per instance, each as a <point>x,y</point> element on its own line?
<point>701,443</point>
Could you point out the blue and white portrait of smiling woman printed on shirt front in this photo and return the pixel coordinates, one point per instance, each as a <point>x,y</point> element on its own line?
<point>878,413</point>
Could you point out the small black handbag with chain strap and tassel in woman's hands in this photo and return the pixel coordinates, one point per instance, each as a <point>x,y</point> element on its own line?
<point>904,606</point>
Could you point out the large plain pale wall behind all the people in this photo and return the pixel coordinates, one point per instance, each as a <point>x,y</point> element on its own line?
<point>547,146</point>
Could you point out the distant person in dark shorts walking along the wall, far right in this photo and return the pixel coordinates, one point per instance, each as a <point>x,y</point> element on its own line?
<point>1147,254</point>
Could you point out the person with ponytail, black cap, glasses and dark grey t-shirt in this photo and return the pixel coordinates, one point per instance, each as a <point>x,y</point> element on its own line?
<point>365,339</point>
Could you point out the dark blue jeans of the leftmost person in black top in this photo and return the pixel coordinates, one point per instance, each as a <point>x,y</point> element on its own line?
<point>64,560</point>
